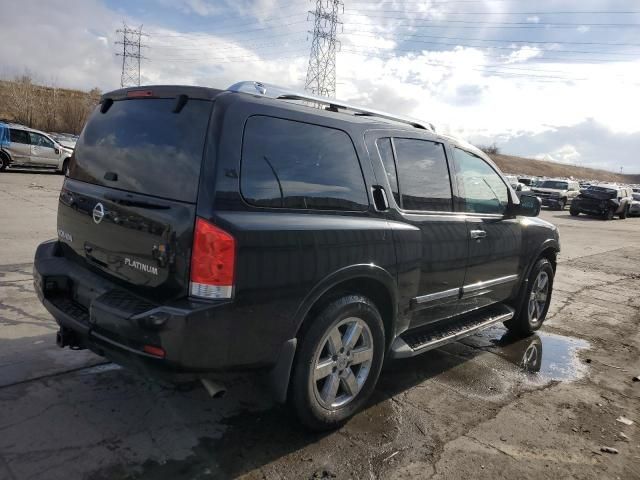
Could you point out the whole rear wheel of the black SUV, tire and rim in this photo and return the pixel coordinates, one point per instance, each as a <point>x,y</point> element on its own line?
<point>338,363</point>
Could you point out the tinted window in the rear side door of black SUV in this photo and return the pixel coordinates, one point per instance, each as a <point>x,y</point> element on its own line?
<point>423,175</point>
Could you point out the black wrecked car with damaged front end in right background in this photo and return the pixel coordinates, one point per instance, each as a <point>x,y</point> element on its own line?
<point>605,201</point>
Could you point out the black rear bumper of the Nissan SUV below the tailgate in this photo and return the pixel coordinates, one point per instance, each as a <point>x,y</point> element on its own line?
<point>196,337</point>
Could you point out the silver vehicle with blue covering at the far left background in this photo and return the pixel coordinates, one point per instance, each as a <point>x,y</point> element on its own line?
<point>25,147</point>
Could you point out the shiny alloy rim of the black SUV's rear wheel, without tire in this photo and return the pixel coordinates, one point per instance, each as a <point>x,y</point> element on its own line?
<point>342,363</point>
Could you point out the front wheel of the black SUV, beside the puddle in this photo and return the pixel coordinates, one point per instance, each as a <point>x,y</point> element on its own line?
<point>534,300</point>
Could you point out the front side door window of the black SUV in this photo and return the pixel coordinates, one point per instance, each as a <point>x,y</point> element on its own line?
<point>482,188</point>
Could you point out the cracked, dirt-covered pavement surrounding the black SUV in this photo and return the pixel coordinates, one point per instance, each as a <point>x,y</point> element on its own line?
<point>468,410</point>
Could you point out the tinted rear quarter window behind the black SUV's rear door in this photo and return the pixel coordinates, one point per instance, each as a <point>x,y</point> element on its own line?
<point>297,165</point>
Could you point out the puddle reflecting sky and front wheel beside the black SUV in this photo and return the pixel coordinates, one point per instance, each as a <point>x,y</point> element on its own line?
<point>550,356</point>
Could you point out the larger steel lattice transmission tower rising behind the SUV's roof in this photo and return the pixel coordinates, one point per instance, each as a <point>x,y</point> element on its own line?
<point>321,73</point>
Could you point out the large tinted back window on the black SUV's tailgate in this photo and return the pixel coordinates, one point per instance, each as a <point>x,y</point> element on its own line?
<point>150,149</point>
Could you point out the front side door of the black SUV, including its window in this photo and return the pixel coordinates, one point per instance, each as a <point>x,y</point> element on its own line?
<point>495,242</point>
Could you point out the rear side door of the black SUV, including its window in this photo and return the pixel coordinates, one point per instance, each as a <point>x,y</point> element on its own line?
<point>432,256</point>
